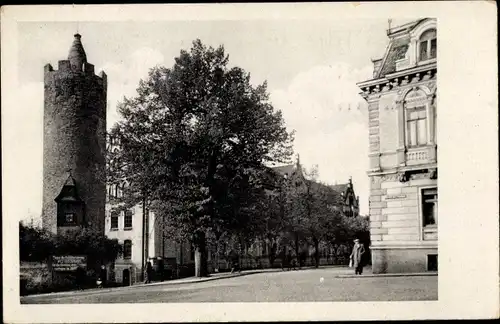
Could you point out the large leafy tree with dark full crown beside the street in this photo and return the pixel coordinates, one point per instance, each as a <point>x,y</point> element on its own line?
<point>195,140</point>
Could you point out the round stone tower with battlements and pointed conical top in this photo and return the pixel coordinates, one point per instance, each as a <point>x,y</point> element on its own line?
<point>74,139</point>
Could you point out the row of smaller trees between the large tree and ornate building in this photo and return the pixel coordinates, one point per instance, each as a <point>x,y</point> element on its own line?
<point>302,212</point>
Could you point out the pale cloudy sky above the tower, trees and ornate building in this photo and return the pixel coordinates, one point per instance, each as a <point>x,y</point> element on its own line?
<point>311,67</point>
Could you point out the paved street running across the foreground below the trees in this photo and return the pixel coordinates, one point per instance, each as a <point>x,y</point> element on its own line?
<point>290,286</point>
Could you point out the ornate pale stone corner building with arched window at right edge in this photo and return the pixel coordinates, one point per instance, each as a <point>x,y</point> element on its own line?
<point>401,99</point>
